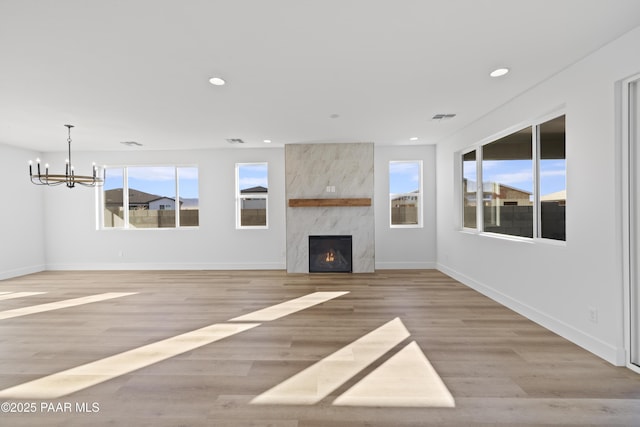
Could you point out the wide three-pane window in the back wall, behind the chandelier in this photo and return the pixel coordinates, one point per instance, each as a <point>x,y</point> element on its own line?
<point>154,196</point>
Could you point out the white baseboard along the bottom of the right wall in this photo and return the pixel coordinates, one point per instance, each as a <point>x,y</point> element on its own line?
<point>608,352</point>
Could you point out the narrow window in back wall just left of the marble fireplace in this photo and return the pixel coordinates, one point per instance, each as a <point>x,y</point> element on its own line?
<point>251,195</point>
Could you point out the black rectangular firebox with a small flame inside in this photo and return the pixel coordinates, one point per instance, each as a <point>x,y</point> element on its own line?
<point>330,254</point>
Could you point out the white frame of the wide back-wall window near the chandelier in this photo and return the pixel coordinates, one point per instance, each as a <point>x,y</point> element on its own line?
<point>125,198</point>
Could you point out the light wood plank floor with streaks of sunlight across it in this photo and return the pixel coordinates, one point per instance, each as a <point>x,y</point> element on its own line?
<point>499,368</point>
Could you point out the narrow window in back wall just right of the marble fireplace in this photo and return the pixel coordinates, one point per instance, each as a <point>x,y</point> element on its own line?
<point>405,193</point>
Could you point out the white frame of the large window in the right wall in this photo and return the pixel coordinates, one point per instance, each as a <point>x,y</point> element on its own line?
<point>535,146</point>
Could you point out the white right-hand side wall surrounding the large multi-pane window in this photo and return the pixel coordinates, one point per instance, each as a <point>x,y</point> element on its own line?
<point>555,284</point>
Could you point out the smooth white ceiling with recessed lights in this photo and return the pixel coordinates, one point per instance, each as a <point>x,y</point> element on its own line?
<point>138,70</point>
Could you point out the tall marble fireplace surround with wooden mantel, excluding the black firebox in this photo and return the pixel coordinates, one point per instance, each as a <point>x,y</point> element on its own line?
<point>329,191</point>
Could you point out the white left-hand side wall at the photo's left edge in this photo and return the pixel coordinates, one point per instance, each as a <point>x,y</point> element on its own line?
<point>21,216</point>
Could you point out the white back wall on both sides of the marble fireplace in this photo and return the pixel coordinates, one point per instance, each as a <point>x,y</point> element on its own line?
<point>73,242</point>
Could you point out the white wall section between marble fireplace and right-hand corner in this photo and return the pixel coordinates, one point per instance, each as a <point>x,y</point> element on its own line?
<point>405,247</point>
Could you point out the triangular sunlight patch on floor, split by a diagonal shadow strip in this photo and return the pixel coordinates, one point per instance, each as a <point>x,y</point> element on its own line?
<point>406,379</point>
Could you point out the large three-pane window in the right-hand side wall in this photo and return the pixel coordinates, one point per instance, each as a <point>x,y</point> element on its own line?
<point>523,183</point>
